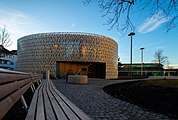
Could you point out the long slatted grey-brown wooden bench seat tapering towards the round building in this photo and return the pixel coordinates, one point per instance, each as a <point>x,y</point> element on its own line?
<point>49,104</point>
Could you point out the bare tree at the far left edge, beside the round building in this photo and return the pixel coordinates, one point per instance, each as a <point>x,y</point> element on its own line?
<point>5,40</point>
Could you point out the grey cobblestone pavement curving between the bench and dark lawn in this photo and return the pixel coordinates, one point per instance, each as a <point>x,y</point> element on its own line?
<point>100,106</point>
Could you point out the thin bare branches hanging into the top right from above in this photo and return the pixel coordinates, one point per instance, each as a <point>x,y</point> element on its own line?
<point>117,9</point>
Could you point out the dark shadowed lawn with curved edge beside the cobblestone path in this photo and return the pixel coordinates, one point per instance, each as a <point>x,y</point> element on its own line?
<point>155,95</point>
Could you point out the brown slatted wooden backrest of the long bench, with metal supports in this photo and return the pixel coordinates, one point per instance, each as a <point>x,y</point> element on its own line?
<point>12,87</point>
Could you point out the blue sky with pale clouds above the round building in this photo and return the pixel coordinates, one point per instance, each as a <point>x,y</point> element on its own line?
<point>25,17</point>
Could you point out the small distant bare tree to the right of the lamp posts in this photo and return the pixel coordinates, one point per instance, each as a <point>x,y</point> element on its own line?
<point>160,58</point>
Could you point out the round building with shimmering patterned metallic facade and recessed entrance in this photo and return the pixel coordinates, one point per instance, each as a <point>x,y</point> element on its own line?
<point>65,53</point>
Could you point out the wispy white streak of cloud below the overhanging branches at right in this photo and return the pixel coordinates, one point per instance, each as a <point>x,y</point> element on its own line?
<point>153,23</point>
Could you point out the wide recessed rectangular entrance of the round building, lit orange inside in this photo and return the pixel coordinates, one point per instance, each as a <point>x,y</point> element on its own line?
<point>91,69</point>
